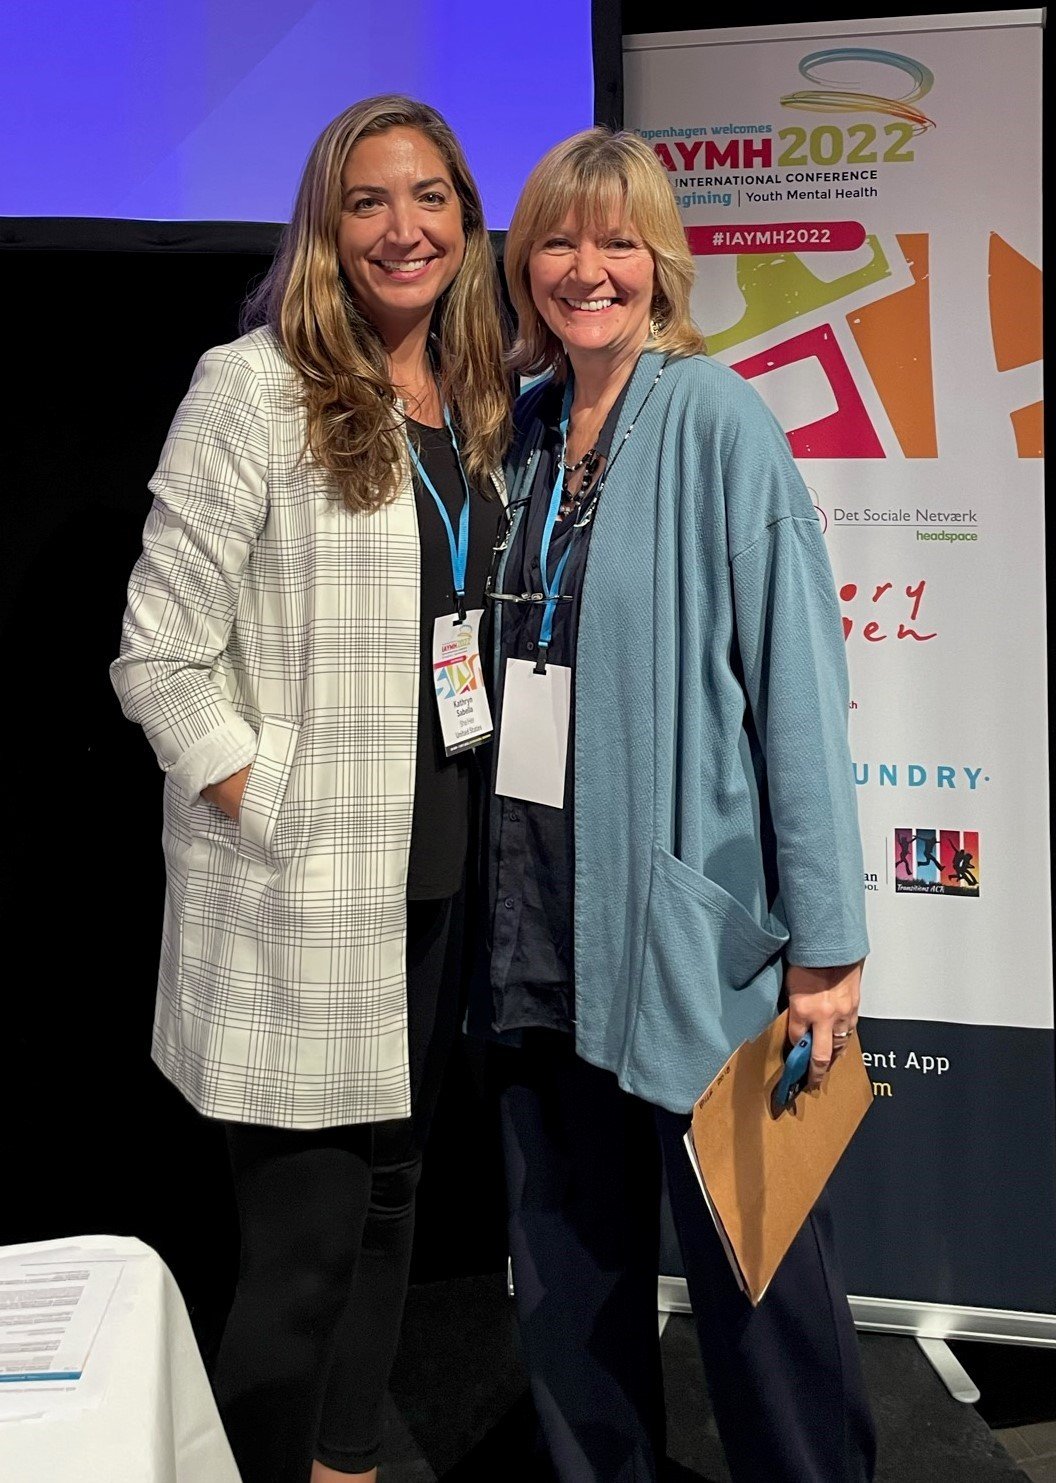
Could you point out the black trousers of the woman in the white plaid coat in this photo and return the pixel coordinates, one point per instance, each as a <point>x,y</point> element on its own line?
<point>327,1224</point>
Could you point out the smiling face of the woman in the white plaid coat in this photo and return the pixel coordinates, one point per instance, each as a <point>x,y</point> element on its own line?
<point>401,238</point>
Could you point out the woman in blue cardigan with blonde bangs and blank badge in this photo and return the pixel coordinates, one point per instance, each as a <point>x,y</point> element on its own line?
<point>674,840</point>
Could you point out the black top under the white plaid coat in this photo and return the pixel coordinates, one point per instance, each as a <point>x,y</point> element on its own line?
<point>440,830</point>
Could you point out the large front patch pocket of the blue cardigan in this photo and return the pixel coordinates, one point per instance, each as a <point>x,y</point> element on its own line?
<point>710,981</point>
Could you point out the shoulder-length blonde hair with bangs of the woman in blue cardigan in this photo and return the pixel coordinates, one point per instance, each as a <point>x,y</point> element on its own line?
<point>601,179</point>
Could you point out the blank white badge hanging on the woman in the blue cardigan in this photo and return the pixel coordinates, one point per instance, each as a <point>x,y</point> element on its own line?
<point>533,741</point>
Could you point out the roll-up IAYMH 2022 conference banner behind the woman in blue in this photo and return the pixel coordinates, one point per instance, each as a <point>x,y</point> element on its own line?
<point>864,204</point>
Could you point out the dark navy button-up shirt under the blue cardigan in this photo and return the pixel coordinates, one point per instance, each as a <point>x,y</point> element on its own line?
<point>532,845</point>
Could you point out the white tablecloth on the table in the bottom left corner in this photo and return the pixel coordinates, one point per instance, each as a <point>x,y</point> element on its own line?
<point>143,1411</point>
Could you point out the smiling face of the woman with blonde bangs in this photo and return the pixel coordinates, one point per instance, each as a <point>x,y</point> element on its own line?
<point>594,287</point>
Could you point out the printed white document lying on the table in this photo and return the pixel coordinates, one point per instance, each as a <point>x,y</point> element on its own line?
<point>51,1313</point>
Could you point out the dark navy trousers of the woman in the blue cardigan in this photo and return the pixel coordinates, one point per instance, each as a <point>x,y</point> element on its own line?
<point>584,1166</point>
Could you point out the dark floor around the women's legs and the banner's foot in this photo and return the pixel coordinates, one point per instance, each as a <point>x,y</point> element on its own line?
<point>461,1411</point>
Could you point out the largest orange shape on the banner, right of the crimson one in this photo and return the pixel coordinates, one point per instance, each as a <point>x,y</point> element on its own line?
<point>894,336</point>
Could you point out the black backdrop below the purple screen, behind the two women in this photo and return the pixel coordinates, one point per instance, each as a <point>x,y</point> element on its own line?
<point>106,324</point>
